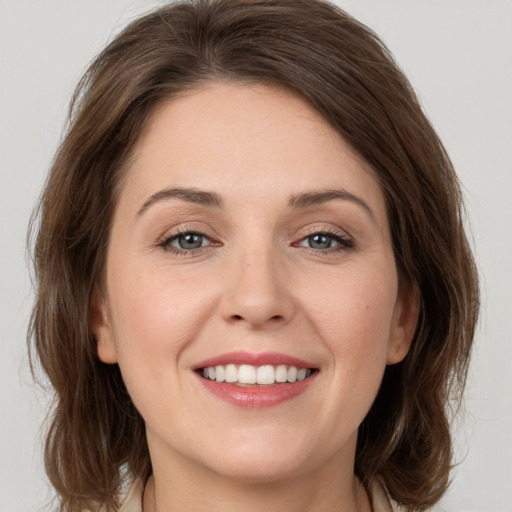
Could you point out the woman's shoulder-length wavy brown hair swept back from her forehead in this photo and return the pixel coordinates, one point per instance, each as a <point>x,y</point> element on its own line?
<point>344,71</point>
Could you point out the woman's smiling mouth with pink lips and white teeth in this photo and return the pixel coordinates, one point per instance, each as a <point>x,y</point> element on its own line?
<point>256,380</point>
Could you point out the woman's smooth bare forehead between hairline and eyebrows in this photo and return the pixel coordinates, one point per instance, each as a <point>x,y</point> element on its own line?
<point>238,139</point>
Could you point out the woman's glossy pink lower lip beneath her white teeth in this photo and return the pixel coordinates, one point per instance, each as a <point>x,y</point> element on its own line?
<point>257,397</point>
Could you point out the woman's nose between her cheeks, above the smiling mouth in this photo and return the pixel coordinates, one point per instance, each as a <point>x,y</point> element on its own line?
<point>256,291</point>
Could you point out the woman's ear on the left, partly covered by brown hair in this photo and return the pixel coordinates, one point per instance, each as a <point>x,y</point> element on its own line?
<point>101,328</point>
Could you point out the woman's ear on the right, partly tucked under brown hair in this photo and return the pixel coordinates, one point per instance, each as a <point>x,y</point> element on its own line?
<point>405,319</point>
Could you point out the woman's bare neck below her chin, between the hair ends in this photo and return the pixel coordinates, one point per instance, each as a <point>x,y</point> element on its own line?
<point>196,488</point>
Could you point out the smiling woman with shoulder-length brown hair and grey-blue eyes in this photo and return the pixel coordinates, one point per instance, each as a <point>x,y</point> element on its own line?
<point>254,287</point>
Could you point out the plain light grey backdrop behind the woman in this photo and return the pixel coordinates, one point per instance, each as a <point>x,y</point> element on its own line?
<point>458,56</point>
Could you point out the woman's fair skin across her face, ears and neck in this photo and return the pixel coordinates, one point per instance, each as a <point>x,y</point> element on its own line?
<point>256,284</point>
